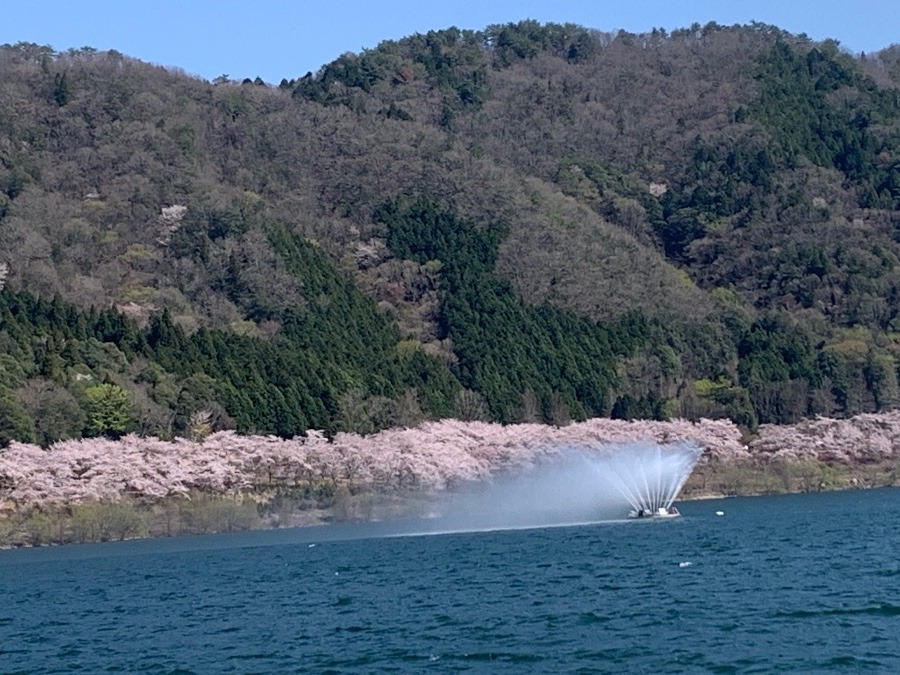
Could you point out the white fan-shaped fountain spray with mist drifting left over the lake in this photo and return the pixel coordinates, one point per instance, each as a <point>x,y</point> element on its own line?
<point>580,484</point>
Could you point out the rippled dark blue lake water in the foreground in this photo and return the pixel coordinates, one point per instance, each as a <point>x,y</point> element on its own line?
<point>796,583</point>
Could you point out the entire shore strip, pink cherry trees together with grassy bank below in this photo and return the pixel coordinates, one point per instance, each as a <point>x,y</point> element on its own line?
<point>97,489</point>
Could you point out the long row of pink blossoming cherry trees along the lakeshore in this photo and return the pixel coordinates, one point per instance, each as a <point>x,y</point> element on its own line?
<point>432,457</point>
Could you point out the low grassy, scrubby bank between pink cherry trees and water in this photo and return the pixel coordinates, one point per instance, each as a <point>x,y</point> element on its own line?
<point>219,513</point>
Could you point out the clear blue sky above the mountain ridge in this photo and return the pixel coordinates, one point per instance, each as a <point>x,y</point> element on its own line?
<point>275,39</point>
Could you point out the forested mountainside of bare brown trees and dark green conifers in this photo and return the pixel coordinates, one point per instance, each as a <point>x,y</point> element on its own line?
<point>526,223</point>
